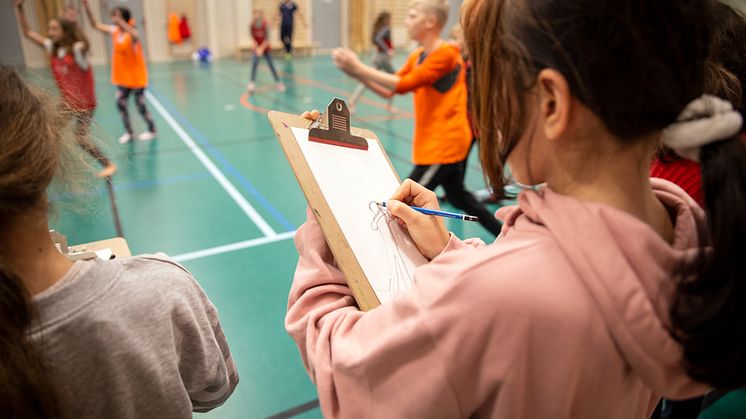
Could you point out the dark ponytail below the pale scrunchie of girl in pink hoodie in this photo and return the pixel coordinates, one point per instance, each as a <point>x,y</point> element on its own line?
<point>710,303</point>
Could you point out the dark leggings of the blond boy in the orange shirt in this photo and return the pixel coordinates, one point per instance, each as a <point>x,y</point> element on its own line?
<point>451,177</point>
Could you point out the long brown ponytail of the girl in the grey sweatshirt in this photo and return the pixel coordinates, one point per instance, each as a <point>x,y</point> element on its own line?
<point>25,389</point>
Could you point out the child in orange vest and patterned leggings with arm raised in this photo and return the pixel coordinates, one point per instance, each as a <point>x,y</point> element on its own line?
<point>129,72</point>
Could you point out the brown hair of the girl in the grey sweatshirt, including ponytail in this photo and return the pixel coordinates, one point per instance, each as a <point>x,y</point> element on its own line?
<point>29,155</point>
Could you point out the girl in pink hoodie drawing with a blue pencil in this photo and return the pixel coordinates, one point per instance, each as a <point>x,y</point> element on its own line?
<point>566,314</point>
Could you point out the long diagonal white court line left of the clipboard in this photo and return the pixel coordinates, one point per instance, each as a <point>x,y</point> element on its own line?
<point>216,173</point>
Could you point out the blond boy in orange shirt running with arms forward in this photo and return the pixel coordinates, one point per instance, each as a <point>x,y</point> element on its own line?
<point>435,73</point>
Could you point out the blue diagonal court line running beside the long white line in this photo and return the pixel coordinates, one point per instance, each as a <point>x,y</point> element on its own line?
<point>226,165</point>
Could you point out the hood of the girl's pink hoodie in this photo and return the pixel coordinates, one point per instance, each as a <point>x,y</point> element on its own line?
<point>628,270</point>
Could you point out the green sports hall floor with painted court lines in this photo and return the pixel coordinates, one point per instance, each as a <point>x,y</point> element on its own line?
<point>215,192</point>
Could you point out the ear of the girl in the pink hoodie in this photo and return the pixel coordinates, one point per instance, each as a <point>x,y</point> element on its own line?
<point>556,100</point>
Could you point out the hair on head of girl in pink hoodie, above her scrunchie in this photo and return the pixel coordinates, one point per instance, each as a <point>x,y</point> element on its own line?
<point>636,64</point>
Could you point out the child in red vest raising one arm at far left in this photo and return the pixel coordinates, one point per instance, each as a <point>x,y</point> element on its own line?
<point>67,49</point>
